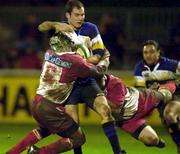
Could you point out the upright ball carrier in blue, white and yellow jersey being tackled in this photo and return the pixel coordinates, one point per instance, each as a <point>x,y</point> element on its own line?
<point>75,14</point>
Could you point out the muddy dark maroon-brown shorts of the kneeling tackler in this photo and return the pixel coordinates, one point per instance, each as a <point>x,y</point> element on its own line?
<point>53,117</point>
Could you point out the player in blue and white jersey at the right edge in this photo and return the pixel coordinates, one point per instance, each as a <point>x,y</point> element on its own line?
<point>155,69</point>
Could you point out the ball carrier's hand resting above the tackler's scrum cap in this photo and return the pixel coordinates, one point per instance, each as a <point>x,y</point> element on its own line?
<point>63,27</point>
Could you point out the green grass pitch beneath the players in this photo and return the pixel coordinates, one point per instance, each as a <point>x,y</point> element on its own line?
<point>96,141</point>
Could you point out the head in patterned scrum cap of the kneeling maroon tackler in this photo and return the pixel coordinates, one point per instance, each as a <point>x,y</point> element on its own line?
<point>63,42</point>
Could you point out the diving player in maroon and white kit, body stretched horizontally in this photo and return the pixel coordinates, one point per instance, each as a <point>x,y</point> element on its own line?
<point>130,107</point>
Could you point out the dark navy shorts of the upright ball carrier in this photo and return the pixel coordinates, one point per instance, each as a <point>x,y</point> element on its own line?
<point>84,91</point>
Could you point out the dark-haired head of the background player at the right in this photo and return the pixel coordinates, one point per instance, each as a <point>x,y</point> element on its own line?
<point>151,52</point>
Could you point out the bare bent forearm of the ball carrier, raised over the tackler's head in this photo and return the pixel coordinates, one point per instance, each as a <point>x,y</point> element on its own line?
<point>57,26</point>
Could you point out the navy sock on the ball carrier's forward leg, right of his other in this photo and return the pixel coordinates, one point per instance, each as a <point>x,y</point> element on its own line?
<point>110,131</point>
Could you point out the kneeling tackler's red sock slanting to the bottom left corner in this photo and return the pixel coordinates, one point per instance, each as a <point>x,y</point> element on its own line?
<point>30,139</point>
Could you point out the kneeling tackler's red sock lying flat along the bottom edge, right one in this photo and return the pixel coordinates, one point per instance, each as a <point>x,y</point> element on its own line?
<point>62,145</point>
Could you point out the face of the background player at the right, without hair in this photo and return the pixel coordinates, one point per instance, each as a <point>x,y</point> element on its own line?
<point>151,54</point>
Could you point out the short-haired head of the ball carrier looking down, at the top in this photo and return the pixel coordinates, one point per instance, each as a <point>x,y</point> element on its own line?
<point>75,13</point>
